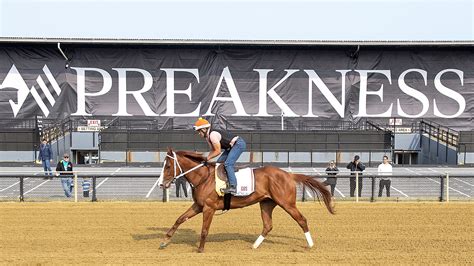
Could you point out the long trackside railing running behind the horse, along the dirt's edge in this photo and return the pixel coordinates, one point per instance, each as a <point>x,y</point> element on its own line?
<point>141,186</point>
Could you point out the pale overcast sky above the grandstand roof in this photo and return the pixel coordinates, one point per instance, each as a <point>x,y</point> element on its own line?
<point>240,19</point>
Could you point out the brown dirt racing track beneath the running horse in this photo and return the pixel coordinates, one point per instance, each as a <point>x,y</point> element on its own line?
<point>369,233</point>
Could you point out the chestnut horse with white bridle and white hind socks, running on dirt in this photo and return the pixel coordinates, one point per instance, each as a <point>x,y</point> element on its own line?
<point>273,187</point>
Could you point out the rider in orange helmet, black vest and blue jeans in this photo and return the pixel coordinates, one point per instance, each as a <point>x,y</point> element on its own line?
<point>219,141</point>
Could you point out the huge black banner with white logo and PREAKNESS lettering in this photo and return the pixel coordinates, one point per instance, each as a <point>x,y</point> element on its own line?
<point>184,82</point>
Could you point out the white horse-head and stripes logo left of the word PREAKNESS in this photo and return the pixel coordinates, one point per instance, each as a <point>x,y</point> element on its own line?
<point>15,81</point>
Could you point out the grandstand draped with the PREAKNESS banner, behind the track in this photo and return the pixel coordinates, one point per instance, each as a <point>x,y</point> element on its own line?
<point>297,104</point>
